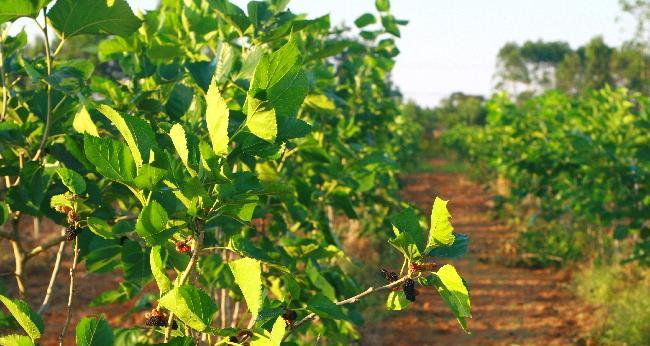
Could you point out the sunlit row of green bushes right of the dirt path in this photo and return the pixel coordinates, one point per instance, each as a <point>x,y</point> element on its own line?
<point>584,159</point>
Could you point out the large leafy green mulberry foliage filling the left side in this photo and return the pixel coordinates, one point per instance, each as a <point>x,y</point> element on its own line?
<point>238,137</point>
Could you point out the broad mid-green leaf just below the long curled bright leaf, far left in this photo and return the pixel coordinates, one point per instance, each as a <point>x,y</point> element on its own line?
<point>111,158</point>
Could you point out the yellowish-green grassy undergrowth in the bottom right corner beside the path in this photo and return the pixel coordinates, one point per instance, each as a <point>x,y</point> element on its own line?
<point>621,293</point>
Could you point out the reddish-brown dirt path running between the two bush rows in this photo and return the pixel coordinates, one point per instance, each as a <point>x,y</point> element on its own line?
<point>510,306</point>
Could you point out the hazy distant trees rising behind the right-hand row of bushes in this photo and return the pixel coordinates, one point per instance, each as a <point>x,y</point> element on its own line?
<point>531,68</point>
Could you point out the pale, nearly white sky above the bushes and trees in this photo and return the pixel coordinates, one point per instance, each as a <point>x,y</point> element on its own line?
<point>451,45</point>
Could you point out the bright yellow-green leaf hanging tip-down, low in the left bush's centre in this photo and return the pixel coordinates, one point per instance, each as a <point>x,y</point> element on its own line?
<point>248,276</point>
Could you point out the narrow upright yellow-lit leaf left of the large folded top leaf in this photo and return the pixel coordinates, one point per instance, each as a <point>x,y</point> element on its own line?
<point>216,118</point>
